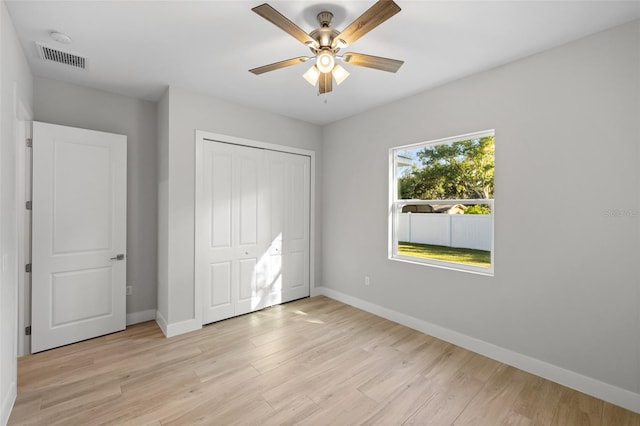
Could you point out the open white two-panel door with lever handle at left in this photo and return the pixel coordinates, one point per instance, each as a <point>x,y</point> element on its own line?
<point>79,235</point>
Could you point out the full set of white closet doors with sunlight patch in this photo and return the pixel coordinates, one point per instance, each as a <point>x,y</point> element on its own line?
<point>253,232</point>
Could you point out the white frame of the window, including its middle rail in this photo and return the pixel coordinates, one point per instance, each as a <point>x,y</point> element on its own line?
<point>395,207</point>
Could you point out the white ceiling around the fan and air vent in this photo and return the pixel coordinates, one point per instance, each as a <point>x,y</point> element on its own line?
<point>138,48</point>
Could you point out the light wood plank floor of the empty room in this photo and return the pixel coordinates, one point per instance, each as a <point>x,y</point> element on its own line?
<point>314,361</point>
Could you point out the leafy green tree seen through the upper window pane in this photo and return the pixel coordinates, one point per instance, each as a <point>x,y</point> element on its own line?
<point>458,170</point>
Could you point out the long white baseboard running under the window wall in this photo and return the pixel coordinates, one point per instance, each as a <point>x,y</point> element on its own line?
<point>588,385</point>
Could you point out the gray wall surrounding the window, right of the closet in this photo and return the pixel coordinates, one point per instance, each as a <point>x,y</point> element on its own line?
<point>566,282</point>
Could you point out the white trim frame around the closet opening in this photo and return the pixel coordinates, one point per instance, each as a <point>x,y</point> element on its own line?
<point>201,137</point>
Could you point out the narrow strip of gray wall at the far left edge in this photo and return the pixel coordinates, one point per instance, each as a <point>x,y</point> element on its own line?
<point>16,85</point>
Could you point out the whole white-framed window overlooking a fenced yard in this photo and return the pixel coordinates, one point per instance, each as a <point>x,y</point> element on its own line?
<point>441,202</point>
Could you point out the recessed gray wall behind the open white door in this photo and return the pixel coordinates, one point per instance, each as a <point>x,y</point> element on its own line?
<point>76,106</point>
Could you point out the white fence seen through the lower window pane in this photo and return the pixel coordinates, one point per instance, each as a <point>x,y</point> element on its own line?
<point>452,230</point>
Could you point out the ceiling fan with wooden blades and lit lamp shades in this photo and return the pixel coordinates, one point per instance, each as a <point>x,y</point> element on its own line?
<point>326,41</point>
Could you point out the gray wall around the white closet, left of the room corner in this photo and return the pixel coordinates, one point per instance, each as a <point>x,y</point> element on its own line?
<point>189,112</point>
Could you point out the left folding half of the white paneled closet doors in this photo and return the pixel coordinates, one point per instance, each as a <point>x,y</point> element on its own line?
<point>233,199</point>
